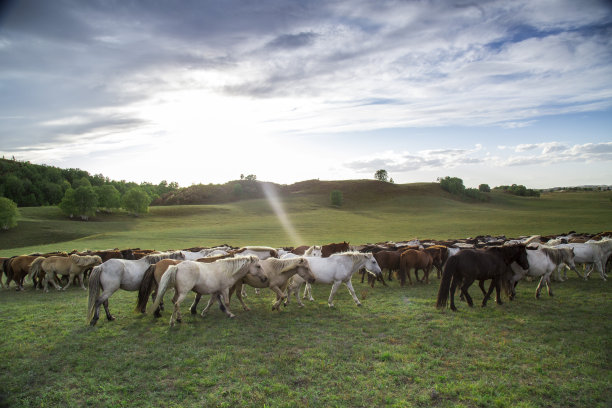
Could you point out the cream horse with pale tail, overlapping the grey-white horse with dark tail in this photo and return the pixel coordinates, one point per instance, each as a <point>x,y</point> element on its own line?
<point>214,278</point>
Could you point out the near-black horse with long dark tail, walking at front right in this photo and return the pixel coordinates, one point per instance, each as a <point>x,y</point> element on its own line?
<point>480,264</point>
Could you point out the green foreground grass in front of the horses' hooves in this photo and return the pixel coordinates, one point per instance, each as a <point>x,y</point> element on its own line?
<point>396,350</point>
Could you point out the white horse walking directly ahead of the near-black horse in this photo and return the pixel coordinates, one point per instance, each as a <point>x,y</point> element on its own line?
<point>542,262</point>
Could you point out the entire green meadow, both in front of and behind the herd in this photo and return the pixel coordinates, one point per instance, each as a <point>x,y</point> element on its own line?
<point>396,350</point>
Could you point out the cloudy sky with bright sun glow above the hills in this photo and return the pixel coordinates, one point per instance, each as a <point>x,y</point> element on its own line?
<point>495,92</point>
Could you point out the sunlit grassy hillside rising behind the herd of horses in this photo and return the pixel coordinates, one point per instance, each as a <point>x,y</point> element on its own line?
<point>371,212</point>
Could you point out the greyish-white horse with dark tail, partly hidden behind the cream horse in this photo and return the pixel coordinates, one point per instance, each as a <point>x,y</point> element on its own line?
<point>117,274</point>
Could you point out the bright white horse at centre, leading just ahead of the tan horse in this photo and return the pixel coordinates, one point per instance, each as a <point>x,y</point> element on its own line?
<point>336,269</point>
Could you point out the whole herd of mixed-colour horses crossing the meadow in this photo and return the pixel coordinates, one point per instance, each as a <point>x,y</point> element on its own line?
<point>222,271</point>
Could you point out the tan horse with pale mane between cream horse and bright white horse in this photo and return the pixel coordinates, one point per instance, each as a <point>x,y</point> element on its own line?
<point>278,272</point>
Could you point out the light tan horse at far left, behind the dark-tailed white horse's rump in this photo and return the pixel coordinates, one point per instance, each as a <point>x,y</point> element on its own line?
<point>74,265</point>
